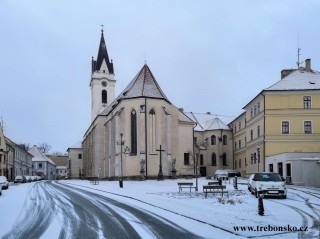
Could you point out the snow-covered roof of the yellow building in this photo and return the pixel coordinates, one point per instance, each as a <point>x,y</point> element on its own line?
<point>299,79</point>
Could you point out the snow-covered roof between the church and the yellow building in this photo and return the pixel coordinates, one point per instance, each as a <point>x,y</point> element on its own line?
<point>206,121</point>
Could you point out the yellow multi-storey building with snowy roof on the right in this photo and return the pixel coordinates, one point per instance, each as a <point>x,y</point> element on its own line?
<point>280,129</point>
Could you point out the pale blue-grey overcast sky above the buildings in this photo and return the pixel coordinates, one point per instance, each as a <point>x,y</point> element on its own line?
<point>207,56</point>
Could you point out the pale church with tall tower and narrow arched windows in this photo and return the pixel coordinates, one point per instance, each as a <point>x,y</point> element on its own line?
<point>138,134</point>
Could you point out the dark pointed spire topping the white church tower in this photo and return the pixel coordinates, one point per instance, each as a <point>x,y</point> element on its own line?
<point>102,56</point>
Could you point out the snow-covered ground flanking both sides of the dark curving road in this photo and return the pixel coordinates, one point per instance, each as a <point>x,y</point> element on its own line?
<point>237,209</point>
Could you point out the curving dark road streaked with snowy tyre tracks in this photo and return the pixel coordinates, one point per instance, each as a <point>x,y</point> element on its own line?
<point>75,213</point>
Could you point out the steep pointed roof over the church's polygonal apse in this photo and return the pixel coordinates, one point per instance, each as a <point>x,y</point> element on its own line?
<point>143,85</point>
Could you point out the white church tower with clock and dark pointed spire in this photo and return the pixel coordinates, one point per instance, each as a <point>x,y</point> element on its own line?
<point>102,81</point>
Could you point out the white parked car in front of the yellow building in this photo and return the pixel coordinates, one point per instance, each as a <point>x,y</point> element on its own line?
<point>269,184</point>
